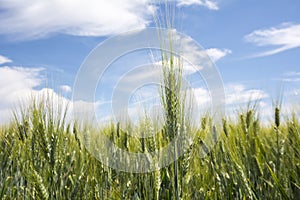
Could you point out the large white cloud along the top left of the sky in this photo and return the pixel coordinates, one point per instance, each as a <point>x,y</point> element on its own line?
<point>34,18</point>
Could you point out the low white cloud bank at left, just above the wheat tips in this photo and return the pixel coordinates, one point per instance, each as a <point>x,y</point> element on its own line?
<point>19,85</point>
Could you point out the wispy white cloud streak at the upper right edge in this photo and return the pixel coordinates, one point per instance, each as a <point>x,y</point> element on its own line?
<point>284,37</point>
